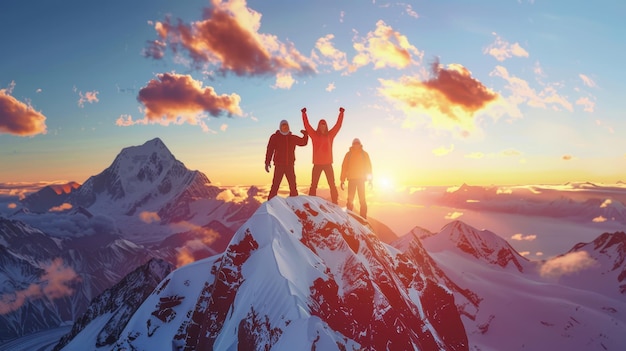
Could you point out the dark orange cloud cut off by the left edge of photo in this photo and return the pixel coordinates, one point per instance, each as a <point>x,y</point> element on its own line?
<point>18,118</point>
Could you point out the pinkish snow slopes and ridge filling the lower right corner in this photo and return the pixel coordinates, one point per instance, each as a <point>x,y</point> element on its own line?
<point>528,309</point>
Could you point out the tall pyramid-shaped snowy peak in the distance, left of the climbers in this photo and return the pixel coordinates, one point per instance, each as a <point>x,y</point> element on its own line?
<point>144,178</point>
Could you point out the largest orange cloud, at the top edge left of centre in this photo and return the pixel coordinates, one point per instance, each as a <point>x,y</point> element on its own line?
<point>228,36</point>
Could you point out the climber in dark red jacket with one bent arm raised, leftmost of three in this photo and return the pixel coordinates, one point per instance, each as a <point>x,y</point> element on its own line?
<point>281,148</point>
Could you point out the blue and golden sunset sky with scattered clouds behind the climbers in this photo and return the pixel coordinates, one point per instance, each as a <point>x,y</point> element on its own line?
<point>439,92</point>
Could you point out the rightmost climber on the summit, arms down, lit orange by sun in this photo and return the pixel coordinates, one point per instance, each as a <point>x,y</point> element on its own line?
<point>356,168</point>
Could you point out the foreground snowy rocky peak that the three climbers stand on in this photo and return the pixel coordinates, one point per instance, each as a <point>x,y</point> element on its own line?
<point>300,274</point>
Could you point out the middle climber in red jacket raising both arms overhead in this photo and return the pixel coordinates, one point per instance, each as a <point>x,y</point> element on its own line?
<point>322,139</point>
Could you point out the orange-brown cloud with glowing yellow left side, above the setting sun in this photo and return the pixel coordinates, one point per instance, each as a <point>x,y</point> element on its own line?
<point>450,99</point>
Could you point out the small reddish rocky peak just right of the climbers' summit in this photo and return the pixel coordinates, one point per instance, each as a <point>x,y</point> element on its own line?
<point>482,244</point>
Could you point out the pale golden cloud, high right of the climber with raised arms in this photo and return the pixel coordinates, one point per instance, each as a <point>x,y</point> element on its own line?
<point>384,47</point>
